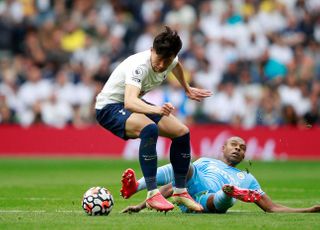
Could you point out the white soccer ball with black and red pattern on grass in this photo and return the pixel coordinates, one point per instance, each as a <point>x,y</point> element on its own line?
<point>97,201</point>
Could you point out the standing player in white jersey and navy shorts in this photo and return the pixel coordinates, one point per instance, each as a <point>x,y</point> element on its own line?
<point>120,109</point>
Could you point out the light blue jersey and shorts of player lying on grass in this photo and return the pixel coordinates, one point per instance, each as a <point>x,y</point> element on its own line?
<point>209,176</point>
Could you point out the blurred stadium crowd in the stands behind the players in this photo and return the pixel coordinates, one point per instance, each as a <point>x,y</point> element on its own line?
<point>260,58</point>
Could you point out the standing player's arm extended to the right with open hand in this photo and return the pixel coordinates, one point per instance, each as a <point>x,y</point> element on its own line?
<point>191,92</point>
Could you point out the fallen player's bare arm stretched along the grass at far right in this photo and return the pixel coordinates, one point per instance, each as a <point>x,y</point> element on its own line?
<point>267,205</point>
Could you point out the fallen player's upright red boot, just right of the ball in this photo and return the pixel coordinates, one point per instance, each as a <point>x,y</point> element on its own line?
<point>129,184</point>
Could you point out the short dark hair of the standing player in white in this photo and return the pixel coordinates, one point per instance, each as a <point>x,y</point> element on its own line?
<point>167,43</point>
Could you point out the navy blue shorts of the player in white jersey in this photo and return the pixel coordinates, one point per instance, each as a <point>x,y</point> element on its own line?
<point>113,117</point>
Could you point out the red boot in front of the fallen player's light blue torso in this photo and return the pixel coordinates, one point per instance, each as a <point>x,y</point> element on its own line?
<point>245,195</point>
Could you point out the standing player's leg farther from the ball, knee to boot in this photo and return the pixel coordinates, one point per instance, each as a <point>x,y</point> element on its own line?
<point>171,127</point>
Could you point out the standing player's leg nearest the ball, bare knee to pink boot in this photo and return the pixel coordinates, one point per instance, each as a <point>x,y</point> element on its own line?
<point>139,125</point>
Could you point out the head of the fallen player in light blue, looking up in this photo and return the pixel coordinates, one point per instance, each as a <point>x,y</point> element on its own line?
<point>234,150</point>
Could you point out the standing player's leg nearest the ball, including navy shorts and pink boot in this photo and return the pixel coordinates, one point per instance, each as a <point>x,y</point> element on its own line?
<point>125,124</point>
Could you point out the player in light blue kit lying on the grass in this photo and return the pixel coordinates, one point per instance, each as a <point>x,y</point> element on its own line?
<point>215,184</point>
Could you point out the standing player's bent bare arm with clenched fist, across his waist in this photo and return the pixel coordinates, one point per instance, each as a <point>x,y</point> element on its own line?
<point>133,103</point>
